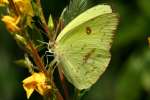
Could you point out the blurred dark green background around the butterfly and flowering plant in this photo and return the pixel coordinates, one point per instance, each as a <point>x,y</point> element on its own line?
<point>128,74</point>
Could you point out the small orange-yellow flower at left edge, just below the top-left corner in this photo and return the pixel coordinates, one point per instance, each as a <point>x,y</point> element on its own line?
<point>11,23</point>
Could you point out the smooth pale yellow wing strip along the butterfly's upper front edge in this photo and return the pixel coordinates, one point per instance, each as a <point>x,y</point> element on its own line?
<point>85,16</point>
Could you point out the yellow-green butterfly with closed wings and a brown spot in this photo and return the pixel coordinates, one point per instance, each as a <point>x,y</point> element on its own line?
<point>83,47</point>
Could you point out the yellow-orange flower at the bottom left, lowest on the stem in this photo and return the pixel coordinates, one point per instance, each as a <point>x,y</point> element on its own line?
<point>37,81</point>
